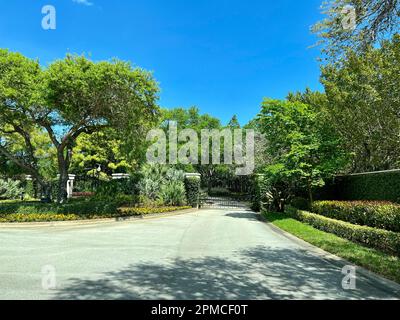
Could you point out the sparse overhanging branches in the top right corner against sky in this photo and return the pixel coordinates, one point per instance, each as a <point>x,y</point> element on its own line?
<point>374,20</point>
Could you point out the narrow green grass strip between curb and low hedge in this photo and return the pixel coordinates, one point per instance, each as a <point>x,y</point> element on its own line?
<point>371,259</point>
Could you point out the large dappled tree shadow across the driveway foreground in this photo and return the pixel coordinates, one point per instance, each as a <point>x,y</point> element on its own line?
<point>259,273</point>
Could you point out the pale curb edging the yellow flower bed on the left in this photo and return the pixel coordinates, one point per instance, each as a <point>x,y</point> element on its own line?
<point>77,223</point>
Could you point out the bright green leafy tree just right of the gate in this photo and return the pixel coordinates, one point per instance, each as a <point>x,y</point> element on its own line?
<point>303,148</point>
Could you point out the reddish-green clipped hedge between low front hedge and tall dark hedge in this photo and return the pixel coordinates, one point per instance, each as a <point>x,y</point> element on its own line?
<point>383,215</point>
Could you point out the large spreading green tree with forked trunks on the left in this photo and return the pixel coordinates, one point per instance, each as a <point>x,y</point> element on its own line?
<point>71,97</point>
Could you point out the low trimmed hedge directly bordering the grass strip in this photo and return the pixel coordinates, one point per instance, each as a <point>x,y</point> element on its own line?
<point>384,240</point>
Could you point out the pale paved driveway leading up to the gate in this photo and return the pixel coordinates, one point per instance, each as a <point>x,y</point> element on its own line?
<point>212,254</point>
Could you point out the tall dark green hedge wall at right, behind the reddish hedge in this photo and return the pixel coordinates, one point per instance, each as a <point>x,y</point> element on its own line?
<point>384,186</point>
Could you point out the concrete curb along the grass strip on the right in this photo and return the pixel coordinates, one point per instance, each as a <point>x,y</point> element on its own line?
<point>367,274</point>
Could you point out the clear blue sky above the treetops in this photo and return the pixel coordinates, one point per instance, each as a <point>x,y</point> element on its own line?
<point>223,56</point>
